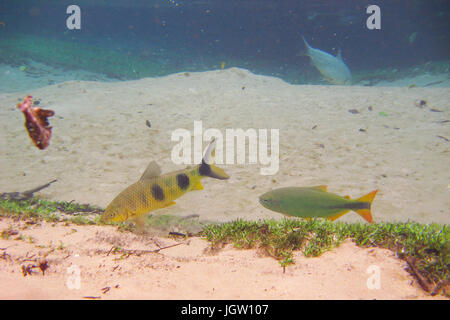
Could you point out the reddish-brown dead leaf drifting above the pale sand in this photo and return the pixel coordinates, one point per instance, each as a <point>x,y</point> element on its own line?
<point>36,122</point>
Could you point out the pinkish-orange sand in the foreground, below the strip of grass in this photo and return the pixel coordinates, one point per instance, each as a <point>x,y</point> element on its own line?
<point>83,264</point>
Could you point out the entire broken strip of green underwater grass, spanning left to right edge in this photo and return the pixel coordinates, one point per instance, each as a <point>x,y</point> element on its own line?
<point>425,248</point>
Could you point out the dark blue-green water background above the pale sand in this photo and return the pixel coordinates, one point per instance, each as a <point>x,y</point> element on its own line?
<point>261,36</point>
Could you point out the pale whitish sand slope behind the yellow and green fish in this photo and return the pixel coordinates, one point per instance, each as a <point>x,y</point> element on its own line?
<point>101,144</point>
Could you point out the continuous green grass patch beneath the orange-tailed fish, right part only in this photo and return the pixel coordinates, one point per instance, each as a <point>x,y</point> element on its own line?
<point>427,244</point>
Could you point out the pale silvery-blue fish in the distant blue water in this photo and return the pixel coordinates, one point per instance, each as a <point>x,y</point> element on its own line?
<point>332,68</point>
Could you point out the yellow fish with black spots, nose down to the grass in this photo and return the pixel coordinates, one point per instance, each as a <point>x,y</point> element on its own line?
<point>155,191</point>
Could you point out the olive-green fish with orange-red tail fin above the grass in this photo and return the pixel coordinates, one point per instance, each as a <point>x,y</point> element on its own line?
<point>316,202</point>
